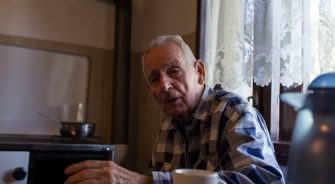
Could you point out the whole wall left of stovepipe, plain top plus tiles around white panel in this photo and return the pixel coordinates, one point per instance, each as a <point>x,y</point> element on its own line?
<point>82,27</point>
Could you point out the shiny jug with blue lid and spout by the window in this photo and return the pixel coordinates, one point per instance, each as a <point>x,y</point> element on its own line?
<point>312,153</point>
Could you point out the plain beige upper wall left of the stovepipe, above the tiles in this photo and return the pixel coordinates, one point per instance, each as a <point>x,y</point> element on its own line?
<point>82,22</point>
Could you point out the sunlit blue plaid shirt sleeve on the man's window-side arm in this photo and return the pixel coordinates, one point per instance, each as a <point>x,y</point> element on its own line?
<point>246,152</point>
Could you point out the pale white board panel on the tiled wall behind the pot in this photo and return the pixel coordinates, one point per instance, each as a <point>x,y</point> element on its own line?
<point>35,82</point>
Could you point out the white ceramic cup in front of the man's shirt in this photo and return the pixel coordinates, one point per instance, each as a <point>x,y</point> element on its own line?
<point>195,176</point>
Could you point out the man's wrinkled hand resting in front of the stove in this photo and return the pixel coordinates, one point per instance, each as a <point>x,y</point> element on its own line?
<point>87,172</point>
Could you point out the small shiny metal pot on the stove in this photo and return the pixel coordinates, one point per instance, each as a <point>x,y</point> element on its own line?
<point>77,129</point>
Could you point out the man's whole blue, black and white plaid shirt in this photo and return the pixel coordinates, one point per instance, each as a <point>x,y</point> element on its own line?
<point>225,135</point>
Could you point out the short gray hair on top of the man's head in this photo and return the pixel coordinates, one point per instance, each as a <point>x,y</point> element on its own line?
<point>176,39</point>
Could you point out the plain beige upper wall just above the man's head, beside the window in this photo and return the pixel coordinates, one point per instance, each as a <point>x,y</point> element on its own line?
<point>155,17</point>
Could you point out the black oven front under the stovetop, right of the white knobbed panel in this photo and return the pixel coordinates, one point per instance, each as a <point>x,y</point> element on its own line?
<point>48,166</point>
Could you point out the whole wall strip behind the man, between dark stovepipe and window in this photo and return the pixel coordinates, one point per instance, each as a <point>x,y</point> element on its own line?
<point>152,18</point>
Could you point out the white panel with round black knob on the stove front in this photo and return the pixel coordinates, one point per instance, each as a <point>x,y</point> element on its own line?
<point>14,167</point>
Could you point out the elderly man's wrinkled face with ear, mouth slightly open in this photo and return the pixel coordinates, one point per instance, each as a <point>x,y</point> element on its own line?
<point>173,81</point>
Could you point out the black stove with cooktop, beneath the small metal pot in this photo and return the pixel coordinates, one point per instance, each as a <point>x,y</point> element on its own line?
<point>49,155</point>
